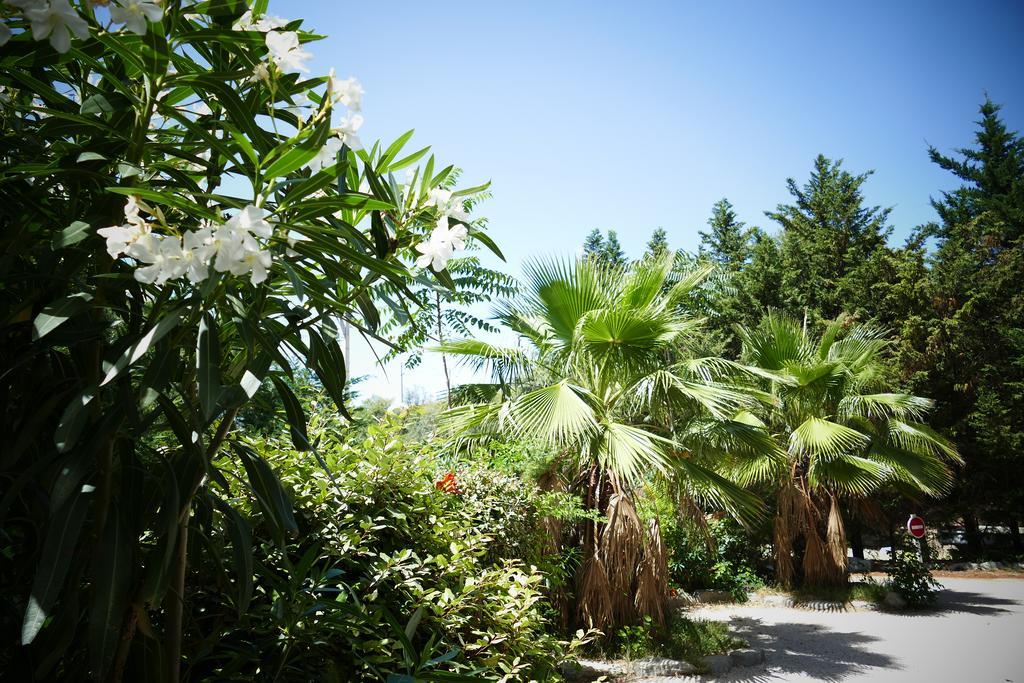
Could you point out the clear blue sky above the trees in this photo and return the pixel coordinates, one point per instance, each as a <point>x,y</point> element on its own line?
<point>634,116</point>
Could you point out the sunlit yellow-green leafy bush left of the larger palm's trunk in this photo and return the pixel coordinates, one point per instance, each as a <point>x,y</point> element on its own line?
<point>389,575</point>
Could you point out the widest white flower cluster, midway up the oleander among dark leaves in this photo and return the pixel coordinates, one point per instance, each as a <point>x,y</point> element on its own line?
<point>233,247</point>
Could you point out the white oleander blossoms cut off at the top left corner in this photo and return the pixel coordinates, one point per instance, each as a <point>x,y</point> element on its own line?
<point>58,20</point>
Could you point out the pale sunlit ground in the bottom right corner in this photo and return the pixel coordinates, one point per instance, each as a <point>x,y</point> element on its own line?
<point>975,635</point>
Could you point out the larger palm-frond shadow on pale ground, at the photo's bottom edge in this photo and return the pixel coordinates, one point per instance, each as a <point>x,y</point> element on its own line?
<point>810,650</point>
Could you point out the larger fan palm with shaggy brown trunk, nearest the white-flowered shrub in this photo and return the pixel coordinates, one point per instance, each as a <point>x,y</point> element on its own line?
<point>604,376</point>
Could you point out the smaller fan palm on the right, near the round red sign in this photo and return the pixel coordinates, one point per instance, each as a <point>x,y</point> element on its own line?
<point>844,438</point>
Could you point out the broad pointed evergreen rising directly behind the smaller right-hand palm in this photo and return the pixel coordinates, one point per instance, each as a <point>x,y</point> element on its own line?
<point>829,240</point>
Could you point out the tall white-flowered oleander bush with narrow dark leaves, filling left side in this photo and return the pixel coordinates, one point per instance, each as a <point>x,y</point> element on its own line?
<point>188,215</point>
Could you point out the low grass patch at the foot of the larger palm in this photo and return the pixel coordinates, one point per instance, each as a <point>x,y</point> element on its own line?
<point>681,638</point>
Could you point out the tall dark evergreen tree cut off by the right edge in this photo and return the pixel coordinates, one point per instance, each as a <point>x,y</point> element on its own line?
<point>969,353</point>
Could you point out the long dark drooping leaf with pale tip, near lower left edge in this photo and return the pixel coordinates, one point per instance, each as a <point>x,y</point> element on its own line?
<point>57,557</point>
